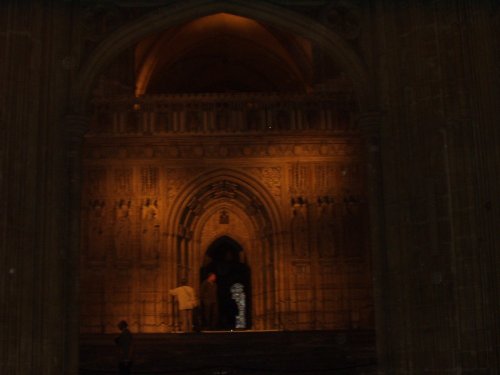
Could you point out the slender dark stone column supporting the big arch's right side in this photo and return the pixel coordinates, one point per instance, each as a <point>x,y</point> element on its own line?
<point>370,125</point>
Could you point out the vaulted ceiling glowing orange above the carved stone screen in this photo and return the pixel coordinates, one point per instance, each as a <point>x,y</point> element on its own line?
<point>223,53</point>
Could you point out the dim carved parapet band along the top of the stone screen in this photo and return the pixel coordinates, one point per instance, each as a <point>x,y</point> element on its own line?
<point>226,113</point>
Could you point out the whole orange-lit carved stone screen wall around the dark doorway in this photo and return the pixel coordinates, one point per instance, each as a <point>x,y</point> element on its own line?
<point>160,190</point>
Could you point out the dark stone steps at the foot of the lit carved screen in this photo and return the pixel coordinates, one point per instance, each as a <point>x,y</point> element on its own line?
<point>237,353</point>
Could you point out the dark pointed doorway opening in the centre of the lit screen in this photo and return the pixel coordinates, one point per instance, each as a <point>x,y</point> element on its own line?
<point>225,258</point>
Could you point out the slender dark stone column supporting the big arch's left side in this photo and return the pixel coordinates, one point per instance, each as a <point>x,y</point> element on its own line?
<point>76,126</point>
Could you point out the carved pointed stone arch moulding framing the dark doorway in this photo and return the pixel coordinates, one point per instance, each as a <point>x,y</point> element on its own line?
<point>253,222</point>
